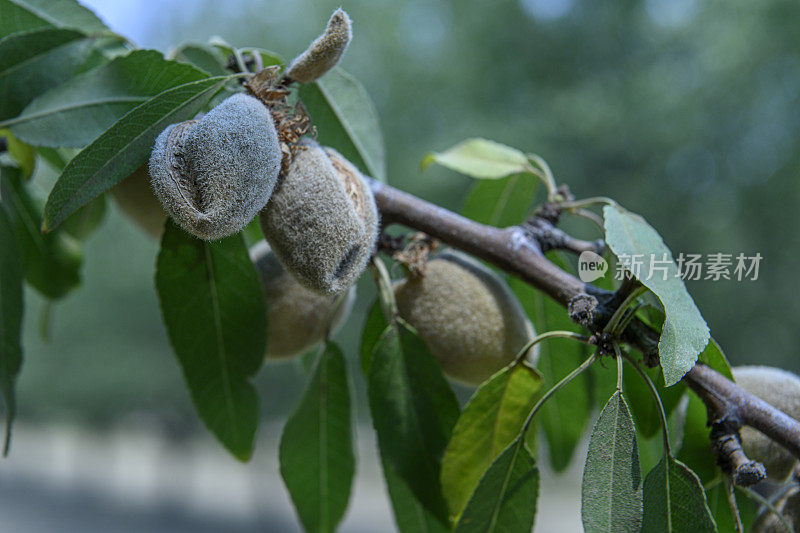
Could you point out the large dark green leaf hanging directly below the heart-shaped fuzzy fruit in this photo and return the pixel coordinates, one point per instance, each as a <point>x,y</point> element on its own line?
<point>213,308</point>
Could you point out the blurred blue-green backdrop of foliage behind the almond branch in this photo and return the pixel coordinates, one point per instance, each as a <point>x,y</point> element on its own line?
<point>684,111</point>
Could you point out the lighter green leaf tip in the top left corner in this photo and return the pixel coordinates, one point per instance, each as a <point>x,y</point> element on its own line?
<point>24,15</point>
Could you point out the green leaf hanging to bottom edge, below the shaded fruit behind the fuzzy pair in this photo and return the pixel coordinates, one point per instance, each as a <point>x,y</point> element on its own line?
<point>316,450</point>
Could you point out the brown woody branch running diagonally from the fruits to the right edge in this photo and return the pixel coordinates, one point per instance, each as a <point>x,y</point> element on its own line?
<point>514,250</point>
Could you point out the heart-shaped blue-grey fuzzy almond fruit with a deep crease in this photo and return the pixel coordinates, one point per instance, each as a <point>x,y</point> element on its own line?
<point>215,174</point>
